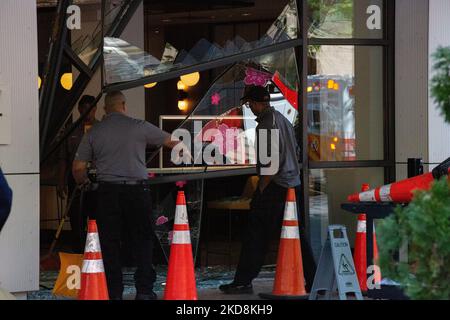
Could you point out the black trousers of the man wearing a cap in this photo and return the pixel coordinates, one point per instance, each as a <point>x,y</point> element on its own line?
<point>264,222</point>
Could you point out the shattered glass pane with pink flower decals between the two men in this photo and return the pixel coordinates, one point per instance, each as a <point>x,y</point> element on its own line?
<point>220,129</point>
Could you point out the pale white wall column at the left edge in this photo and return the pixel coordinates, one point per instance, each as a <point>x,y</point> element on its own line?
<point>19,239</point>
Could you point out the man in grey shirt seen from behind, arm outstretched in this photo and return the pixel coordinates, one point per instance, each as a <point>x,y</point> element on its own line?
<point>117,146</point>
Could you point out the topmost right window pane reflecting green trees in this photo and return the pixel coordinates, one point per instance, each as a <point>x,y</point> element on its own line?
<point>362,19</point>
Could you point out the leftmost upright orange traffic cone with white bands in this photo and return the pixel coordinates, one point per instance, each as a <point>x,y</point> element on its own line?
<point>93,278</point>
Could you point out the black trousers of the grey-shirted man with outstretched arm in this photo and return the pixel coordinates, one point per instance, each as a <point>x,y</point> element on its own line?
<point>129,207</point>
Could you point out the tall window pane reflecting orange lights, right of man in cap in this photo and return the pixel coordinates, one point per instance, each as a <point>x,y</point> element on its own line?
<point>345,103</point>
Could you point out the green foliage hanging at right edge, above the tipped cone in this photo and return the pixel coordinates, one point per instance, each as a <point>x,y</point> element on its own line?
<point>440,83</point>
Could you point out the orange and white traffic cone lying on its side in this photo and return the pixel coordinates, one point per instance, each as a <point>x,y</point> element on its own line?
<point>400,192</point>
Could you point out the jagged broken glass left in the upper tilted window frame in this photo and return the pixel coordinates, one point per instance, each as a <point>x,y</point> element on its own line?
<point>125,62</point>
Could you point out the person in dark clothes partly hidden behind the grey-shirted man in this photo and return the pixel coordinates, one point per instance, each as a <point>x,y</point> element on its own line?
<point>77,215</point>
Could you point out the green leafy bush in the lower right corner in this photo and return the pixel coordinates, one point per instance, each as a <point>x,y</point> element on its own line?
<point>425,223</point>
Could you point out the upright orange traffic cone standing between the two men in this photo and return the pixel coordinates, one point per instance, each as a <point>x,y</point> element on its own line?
<point>180,284</point>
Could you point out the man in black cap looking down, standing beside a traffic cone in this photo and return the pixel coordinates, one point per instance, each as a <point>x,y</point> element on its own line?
<point>278,170</point>
